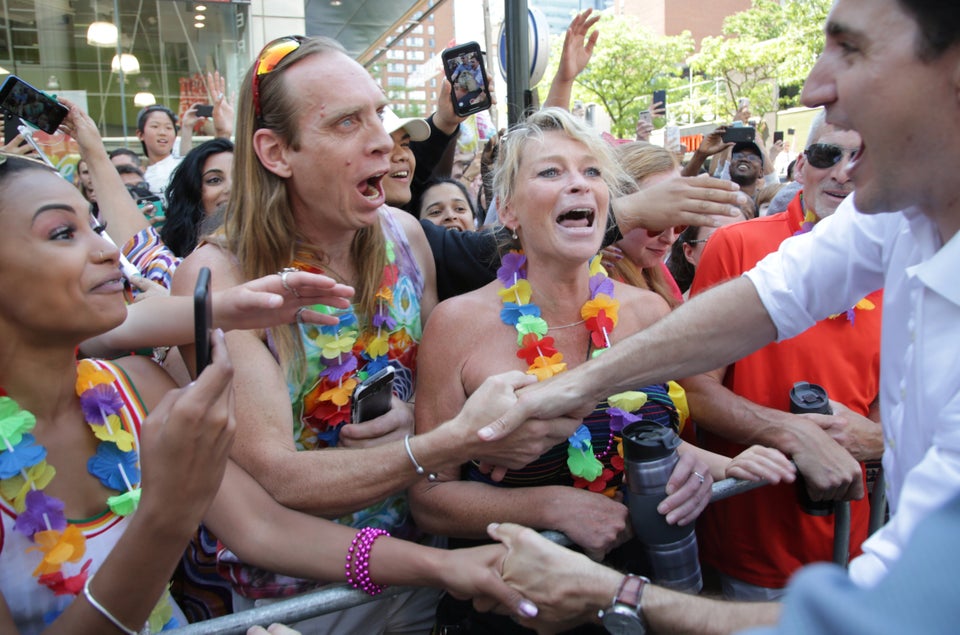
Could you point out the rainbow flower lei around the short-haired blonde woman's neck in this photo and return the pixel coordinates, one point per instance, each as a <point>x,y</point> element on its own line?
<point>600,315</point>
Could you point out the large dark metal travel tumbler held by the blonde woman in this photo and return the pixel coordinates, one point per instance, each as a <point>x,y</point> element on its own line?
<point>650,454</point>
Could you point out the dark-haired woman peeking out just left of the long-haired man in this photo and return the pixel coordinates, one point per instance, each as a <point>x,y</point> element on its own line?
<point>198,187</point>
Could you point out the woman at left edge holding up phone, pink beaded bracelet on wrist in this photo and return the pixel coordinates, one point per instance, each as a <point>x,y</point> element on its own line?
<point>98,497</point>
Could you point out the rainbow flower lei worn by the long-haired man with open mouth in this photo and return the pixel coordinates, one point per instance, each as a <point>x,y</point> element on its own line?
<point>342,347</point>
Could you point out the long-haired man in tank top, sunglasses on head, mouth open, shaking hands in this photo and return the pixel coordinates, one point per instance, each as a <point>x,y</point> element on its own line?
<point>311,154</point>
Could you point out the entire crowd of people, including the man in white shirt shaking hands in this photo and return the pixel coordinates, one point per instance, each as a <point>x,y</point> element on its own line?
<point>617,287</point>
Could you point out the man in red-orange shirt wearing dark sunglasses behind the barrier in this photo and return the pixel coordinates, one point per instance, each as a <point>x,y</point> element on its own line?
<point>757,540</point>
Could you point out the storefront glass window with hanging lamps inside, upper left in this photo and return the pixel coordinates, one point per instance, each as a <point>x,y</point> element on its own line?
<point>49,49</point>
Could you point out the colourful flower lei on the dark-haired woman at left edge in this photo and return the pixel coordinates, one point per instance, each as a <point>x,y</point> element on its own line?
<point>24,473</point>
